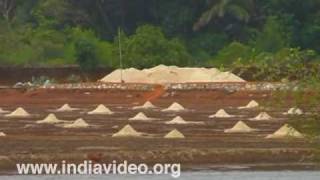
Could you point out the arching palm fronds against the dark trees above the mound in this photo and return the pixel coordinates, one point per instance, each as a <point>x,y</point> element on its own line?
<point>239,9</point>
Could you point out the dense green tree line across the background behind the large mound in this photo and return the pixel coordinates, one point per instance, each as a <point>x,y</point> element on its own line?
<point>181,32</point>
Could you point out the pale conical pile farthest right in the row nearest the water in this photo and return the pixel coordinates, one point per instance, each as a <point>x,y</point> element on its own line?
<point>286,131</point>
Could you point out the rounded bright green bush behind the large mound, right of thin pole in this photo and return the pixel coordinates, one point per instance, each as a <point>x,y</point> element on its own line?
<point>149,47</point>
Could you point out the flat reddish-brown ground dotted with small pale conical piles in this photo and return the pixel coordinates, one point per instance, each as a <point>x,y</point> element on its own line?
<point>205,145</point>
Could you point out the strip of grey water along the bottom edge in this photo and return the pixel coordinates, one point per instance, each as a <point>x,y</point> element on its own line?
<point>229,175</point>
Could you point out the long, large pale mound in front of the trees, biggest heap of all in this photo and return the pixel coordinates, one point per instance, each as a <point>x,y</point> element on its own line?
<point>171,74</point>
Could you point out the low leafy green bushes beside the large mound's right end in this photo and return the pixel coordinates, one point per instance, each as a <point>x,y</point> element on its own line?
<point>286,64</point>
